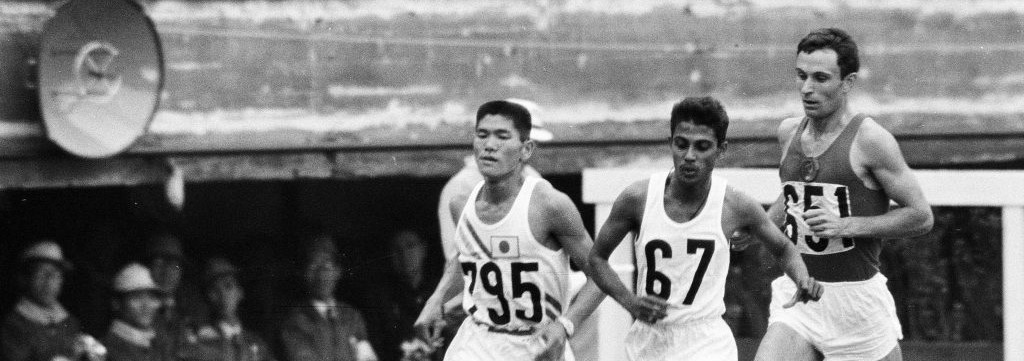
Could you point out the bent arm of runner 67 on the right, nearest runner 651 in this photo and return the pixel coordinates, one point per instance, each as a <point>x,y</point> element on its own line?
<point>781,247</point>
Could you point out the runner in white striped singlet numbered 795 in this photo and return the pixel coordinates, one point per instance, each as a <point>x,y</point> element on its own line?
<point>515,238</point>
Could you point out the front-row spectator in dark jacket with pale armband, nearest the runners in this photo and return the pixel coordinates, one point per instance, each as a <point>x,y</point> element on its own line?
<point>323,329</point>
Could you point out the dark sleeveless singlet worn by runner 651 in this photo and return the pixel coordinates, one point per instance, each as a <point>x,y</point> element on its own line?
<point>828,182</point>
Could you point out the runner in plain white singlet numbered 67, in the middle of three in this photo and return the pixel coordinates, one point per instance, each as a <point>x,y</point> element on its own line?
<point>680,219</point>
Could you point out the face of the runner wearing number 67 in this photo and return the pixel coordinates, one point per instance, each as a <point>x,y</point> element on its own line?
<point>695,151</point>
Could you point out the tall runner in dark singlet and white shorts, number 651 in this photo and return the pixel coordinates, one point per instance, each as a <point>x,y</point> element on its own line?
<point>840,170</point>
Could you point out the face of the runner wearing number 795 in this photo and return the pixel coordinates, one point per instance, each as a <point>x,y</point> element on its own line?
<point>498,148</point>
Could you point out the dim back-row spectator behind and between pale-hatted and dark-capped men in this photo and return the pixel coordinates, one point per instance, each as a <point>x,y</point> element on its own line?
<point>181,301</point>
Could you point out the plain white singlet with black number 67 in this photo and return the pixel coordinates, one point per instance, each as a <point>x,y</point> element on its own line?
<point>684,263</point>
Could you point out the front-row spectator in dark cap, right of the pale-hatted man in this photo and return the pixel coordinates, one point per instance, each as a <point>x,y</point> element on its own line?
<point>223,338</point>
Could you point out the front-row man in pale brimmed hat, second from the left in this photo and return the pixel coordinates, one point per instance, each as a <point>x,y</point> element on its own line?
<point>137,301</point>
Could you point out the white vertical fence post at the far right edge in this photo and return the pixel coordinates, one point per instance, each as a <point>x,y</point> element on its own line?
<point>1013,283</point>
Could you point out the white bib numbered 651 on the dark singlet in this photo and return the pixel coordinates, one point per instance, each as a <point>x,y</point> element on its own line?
<point>801,198</point>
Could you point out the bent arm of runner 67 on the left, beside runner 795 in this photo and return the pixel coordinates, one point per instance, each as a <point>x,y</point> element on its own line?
<point>625,218</point>
